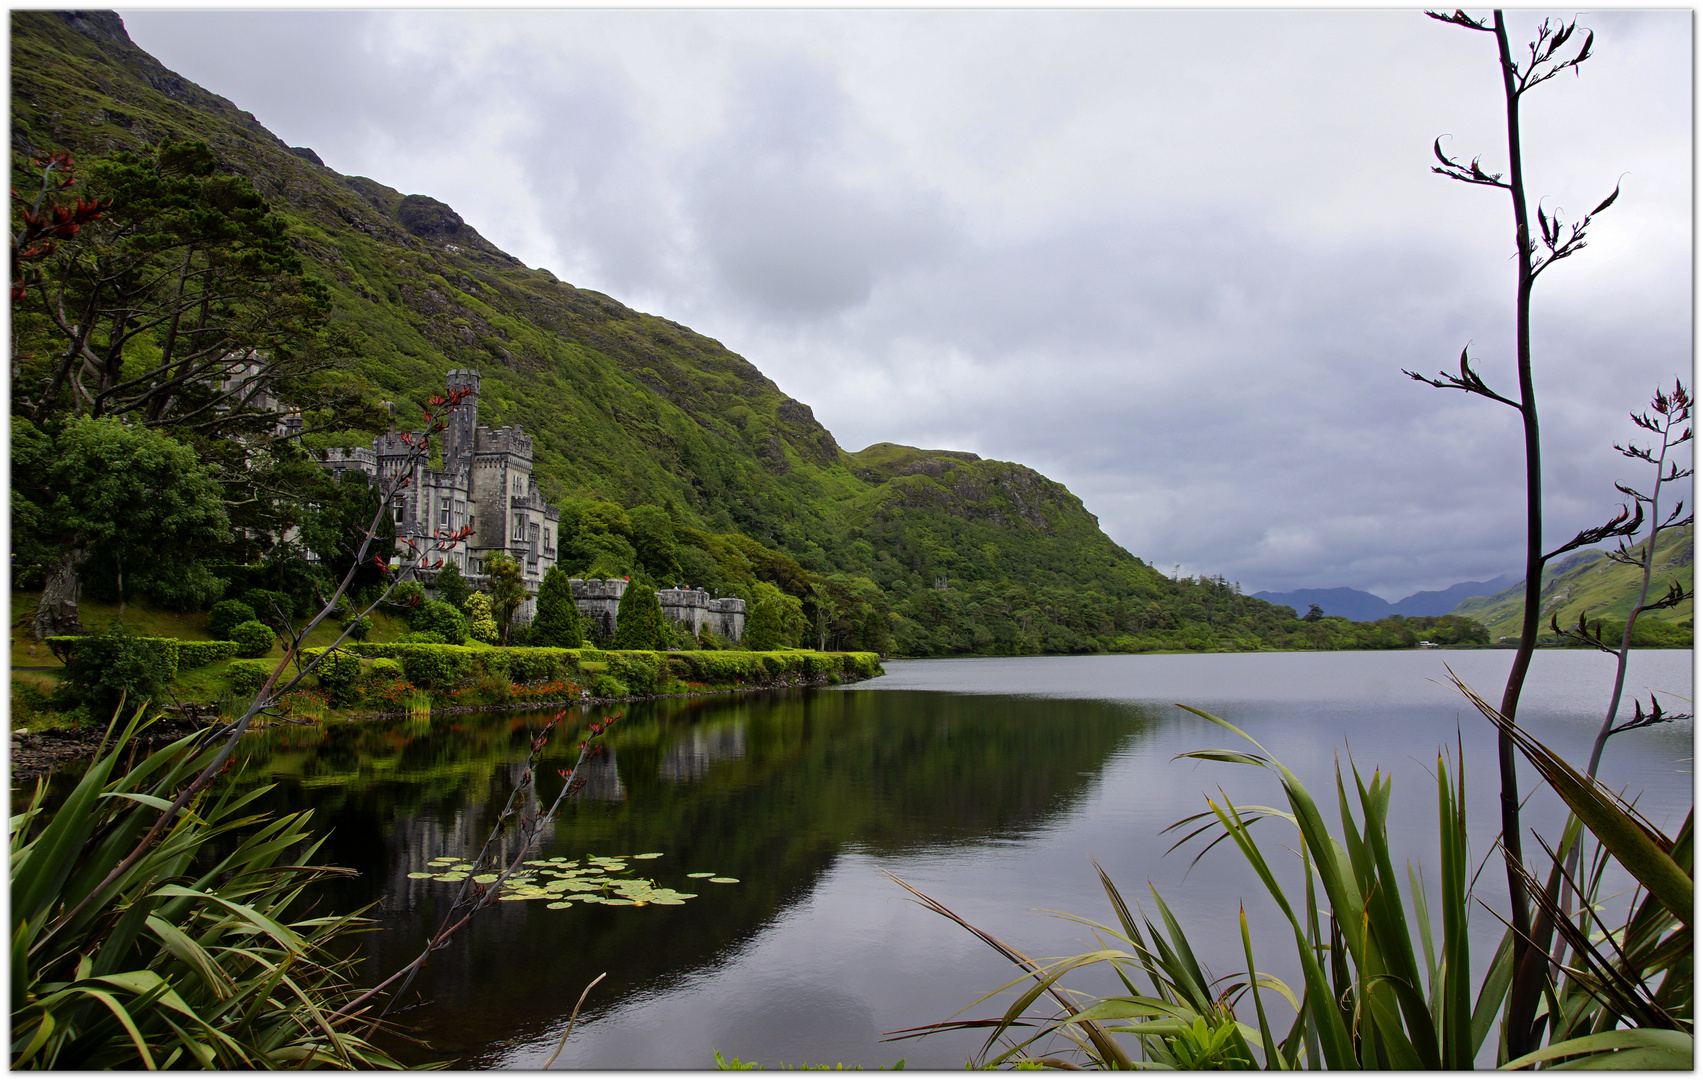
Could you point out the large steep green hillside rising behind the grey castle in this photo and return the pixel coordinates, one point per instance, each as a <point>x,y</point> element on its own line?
<point>667,452</point>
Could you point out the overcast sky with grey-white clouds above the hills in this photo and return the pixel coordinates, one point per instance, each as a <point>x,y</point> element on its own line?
<point>1173,260</point>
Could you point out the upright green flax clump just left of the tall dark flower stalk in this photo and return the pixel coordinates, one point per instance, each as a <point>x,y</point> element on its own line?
<point>1385,979</point>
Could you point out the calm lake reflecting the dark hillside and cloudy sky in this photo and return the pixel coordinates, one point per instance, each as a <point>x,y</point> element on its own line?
<point>989,784</point>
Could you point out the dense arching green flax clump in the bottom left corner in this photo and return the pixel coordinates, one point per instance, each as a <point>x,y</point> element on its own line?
<point>181,958</point>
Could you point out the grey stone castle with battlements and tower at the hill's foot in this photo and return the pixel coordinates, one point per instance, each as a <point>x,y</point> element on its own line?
<point>488,483</point>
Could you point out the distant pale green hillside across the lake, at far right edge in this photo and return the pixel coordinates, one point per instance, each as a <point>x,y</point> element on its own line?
<point>1597,587</point>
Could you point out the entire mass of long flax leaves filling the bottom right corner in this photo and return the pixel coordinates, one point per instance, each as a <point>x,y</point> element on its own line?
<point>1387,977</point>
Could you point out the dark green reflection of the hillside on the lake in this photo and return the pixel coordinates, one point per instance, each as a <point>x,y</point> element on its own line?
<point>771,790</point>
